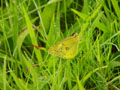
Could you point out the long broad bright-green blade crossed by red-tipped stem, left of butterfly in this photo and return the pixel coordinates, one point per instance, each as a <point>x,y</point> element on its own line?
<point>32,34</point>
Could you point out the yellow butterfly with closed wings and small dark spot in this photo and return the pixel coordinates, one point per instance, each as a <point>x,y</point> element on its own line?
<point>66,48</point>
